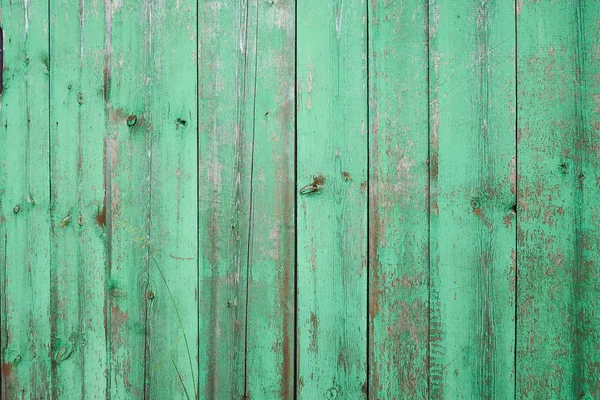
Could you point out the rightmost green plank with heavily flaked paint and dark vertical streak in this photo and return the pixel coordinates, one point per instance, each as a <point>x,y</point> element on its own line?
<point>558,352</point>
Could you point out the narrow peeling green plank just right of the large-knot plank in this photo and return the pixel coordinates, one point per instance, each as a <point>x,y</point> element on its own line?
<point>398,200</point>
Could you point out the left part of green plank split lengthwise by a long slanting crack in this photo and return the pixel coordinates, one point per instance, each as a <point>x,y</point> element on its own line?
<point>226,108</point>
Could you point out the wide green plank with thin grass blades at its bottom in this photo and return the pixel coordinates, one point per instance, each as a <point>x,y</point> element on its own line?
<point>150,86</point>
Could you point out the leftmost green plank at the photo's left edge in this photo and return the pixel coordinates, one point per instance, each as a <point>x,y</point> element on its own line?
<point>24,202</point>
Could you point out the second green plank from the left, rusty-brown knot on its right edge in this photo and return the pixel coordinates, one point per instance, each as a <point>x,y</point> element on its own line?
<point>77,128</point>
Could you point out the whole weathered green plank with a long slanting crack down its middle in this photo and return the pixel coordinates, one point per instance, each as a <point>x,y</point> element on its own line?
<point>246,134</point>
